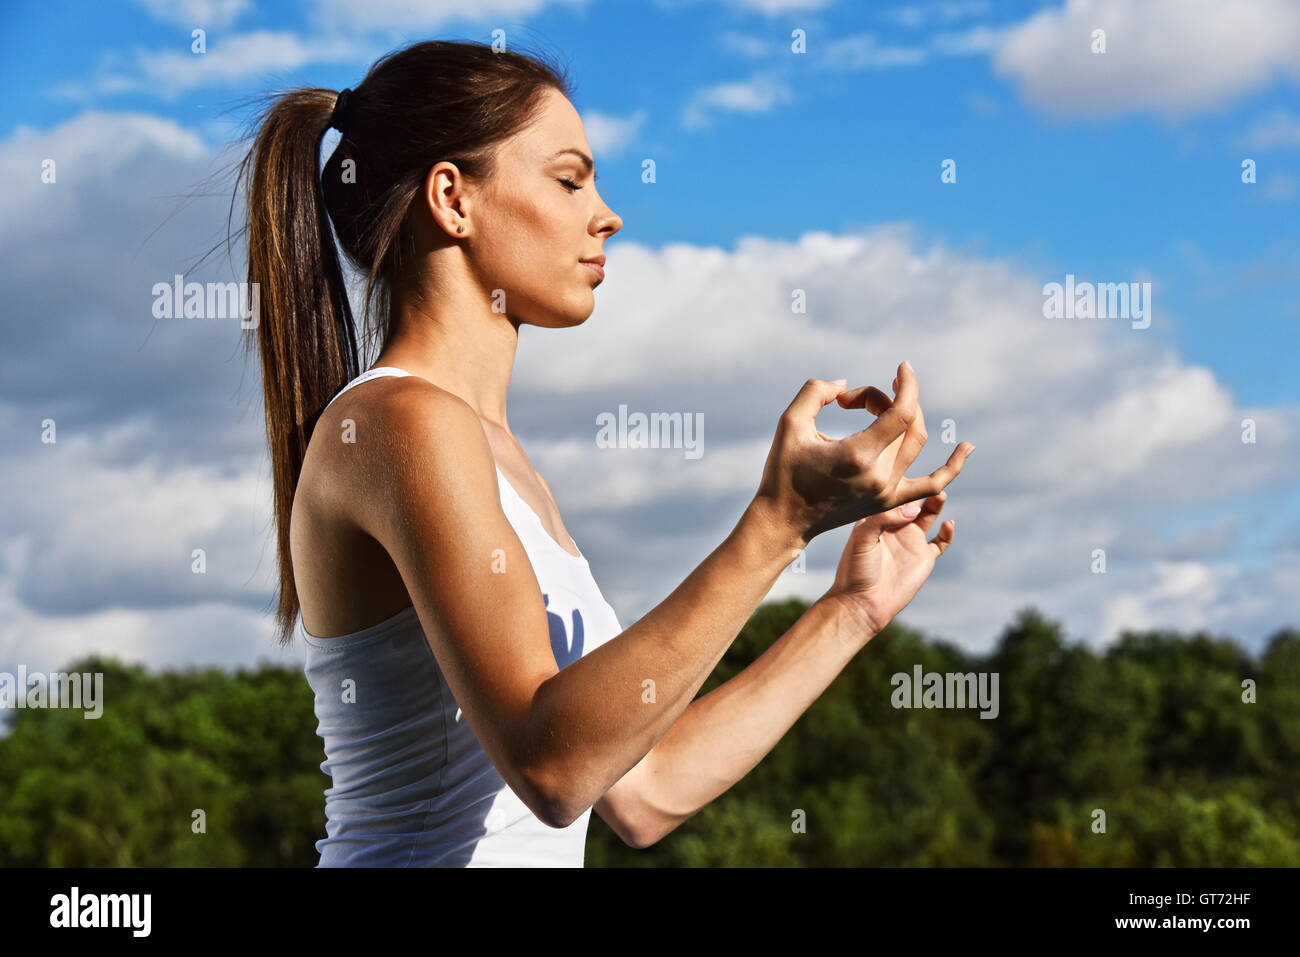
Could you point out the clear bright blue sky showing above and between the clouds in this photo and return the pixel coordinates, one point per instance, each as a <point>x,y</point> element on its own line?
<point>1099,197</point>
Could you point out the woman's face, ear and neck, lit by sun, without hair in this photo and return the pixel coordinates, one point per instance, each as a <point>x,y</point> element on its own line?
<point>525,233</point>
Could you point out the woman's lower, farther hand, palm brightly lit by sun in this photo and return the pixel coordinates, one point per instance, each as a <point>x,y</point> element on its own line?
<point>887,560</point>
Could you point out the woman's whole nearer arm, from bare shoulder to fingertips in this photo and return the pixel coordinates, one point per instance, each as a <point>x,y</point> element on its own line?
<point>564,738</point>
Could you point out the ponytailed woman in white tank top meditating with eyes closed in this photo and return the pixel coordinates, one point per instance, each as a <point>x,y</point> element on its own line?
<point>476,695</point>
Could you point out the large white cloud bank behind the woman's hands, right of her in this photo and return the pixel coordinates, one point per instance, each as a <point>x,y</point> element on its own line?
<point>1085,428</point>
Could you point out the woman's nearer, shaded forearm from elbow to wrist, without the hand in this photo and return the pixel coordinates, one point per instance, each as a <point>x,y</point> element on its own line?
<point>600,716</point>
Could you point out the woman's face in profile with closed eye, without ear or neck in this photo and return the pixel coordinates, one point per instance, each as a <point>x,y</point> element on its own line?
<point>538,219</point>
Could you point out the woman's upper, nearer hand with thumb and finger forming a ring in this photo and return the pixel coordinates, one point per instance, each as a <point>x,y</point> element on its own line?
<point>814,483</point>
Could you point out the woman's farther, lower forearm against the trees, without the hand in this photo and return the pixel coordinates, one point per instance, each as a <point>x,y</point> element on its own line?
<point>723,735</point>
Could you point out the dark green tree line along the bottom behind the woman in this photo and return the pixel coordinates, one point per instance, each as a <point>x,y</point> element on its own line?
<point>1163,750</point>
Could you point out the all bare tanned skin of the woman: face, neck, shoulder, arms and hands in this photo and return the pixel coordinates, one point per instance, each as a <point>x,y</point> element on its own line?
<point>526,233</point>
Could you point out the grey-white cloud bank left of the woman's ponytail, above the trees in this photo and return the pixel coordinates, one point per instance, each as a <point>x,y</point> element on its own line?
<point>98,530</point>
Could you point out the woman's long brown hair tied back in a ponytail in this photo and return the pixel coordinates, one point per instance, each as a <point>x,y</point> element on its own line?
<point>417,107</point>
